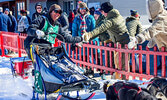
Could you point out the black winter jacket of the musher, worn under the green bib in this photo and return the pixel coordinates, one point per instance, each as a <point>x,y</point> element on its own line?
<point>39,24</point>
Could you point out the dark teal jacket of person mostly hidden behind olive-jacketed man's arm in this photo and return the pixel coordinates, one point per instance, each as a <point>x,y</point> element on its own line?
<point>104,36</point>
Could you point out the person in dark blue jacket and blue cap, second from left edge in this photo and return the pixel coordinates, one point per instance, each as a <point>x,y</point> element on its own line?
<point>13,20</point>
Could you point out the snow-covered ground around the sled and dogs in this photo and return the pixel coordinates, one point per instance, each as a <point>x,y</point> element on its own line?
<point>16,88</point>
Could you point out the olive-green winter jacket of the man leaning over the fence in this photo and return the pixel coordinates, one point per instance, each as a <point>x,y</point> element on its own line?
<point>114,24</point>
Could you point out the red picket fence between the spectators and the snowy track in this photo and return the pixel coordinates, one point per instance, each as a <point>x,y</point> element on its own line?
<point>102,57</point>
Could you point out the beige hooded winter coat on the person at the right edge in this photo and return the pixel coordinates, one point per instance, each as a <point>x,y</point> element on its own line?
<point>157,32</point>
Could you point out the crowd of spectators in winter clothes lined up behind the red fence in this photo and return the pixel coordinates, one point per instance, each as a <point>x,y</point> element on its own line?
<point>104,25</point>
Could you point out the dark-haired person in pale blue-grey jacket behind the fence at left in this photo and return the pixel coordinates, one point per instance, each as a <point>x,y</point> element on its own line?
<point>23,23</point>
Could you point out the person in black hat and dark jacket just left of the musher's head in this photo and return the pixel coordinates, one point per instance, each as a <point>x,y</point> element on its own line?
<point>38,8</point>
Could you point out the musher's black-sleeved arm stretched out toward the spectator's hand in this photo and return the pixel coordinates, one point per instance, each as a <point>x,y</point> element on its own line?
<point>68,37</point>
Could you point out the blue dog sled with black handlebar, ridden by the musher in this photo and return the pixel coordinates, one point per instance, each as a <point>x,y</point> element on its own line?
<point>55,72</point>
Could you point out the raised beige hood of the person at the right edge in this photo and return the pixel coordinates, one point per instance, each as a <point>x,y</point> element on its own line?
<point>154,7</point>
